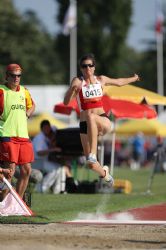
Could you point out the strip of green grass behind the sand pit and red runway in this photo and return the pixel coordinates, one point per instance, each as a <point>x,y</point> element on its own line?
<point>58,208</point>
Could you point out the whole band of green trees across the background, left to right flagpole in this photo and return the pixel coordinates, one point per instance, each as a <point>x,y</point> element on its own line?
<point>102,30</point>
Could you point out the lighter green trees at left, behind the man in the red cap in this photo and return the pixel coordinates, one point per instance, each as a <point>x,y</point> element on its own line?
<point>24,40</point>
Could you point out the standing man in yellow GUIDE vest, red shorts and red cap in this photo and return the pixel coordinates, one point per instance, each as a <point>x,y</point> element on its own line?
<point>16,105</point>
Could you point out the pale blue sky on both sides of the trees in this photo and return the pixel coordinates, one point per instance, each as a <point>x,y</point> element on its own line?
<point>143,19</point>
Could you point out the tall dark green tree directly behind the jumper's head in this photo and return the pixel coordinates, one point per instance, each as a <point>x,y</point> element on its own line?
<point>102,30</point>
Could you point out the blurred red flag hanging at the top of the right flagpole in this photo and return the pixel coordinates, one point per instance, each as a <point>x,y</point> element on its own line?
<point>159,19</point>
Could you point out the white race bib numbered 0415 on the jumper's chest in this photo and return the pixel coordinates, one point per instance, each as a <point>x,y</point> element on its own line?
<point>92,92</point>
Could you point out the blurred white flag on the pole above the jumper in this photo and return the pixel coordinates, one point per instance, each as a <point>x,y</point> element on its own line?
<point>70,19</point>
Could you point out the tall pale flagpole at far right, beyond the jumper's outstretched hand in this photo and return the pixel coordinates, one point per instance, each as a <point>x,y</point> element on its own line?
<point>160,73</point>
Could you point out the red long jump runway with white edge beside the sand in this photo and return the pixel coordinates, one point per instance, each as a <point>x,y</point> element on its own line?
<point>151,215</point>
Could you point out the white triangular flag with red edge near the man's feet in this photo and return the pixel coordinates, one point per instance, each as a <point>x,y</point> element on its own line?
<point>13,204</point>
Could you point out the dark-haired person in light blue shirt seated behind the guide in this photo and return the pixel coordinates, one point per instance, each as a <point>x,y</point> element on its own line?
<point>54,173</point>
